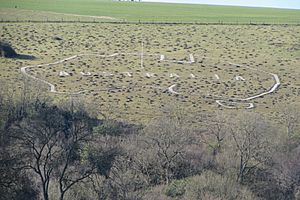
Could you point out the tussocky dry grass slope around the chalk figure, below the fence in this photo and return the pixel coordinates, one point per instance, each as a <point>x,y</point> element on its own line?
<point>270,48</point>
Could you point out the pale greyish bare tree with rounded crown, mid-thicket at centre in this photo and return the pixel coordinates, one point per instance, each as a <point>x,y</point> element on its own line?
<point>167,138</point>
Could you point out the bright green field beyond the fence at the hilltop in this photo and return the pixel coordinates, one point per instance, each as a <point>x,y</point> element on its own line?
<point>134,11</point>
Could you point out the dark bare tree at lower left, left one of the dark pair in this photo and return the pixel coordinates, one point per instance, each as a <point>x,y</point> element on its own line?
<point>38,138</point>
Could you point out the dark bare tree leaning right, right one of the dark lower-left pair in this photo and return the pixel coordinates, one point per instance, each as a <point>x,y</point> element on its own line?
<point>72,170</point>
